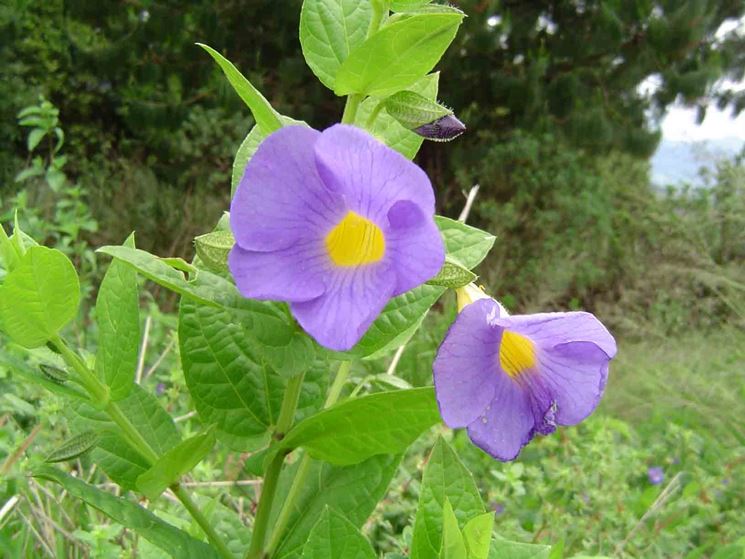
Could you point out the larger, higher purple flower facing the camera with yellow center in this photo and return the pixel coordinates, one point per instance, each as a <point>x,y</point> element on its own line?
<point>335,223</point>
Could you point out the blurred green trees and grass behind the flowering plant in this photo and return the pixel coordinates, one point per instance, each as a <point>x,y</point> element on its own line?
<point>138,132</point>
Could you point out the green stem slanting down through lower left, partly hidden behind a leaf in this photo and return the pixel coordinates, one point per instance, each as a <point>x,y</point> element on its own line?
<point>99,393</point>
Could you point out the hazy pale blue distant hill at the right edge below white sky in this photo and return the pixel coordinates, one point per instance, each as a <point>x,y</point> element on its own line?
<point>677,162</point>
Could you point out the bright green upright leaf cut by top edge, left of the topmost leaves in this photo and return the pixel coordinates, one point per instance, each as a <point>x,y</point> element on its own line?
<point>329,30</point>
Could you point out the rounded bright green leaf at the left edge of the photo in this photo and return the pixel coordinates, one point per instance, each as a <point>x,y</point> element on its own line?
<point>39,297</point>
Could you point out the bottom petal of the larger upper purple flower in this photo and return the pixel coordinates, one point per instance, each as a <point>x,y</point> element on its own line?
<point>352,301</point>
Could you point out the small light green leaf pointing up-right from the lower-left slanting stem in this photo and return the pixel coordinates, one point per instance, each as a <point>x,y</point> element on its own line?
<point>178,461</point>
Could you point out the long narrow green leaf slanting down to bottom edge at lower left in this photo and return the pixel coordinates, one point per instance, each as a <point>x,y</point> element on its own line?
<point>177,543</point>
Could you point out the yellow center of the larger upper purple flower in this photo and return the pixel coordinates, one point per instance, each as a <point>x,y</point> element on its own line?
<point>355,241</point>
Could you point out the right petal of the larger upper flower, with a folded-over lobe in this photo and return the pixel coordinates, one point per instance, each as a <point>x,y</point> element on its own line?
<point>414,242</point>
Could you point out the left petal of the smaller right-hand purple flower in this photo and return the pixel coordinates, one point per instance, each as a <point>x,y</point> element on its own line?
<point>465,368</point>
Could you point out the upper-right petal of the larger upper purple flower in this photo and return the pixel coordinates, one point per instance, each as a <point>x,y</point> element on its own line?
<point>368,174</point>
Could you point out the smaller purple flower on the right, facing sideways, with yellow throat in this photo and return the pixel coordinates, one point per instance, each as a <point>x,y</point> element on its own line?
<point>507,378</point>
